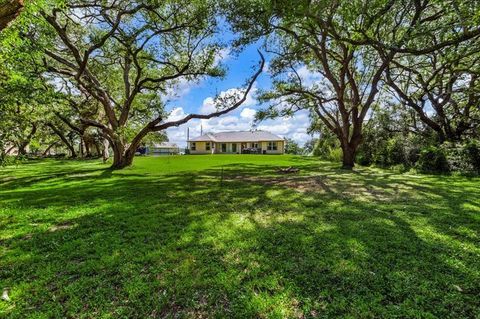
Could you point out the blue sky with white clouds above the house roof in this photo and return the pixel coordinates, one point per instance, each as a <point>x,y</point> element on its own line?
<point>198,98</point>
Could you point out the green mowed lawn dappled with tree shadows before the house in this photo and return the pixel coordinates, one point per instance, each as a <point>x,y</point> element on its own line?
<point>229,237</point>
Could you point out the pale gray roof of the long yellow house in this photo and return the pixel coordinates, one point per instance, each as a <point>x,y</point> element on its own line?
<point>240,136</point>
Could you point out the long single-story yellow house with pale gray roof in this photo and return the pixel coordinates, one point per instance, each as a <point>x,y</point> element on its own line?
<point>241,142</point>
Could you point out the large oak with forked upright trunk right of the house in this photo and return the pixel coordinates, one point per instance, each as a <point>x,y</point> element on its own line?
<point>348,45</point>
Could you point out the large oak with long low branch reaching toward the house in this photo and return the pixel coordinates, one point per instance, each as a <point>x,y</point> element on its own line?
<point>128,55</point>
